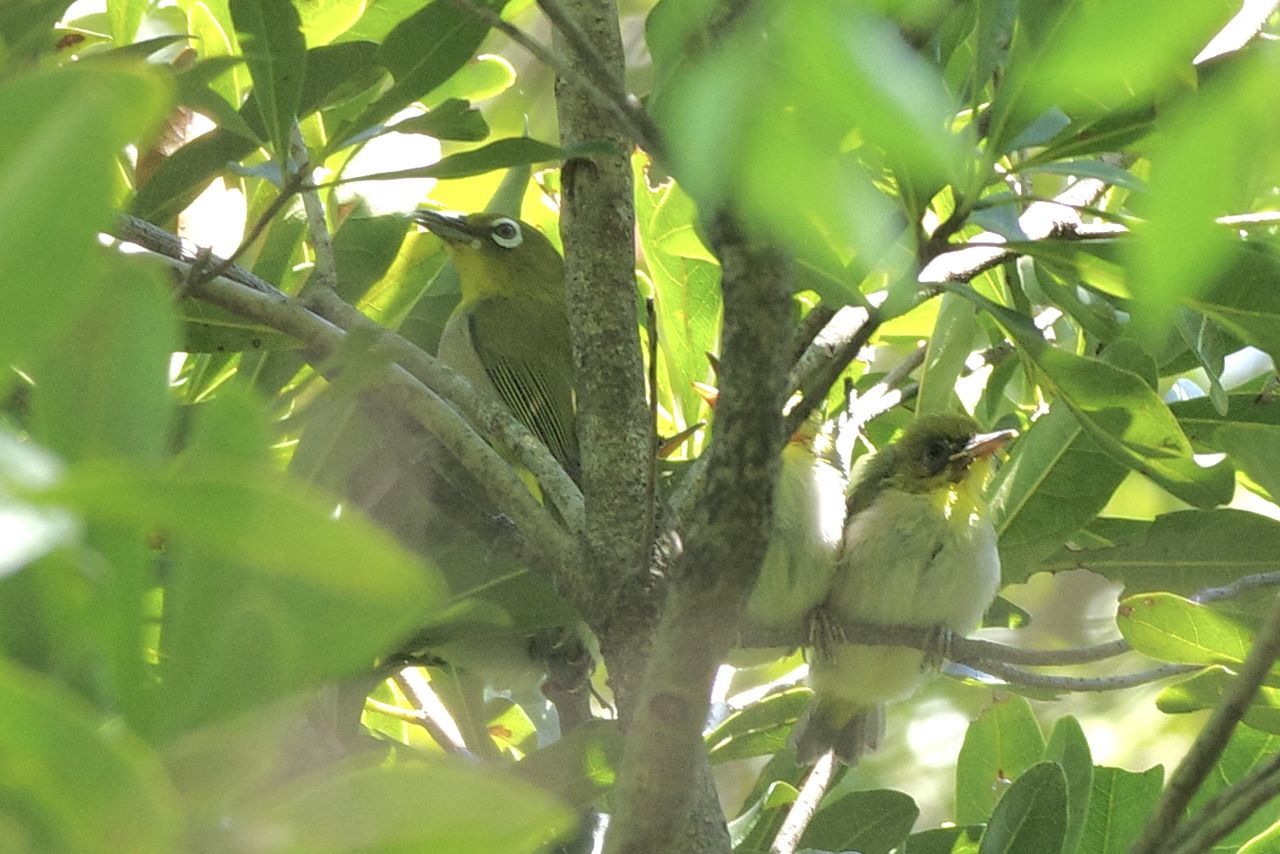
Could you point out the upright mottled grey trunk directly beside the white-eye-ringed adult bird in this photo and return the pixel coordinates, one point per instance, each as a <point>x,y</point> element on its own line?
<point>598,226</point>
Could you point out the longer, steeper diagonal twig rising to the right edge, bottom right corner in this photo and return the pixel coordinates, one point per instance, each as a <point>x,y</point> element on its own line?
<point>1213,739</point>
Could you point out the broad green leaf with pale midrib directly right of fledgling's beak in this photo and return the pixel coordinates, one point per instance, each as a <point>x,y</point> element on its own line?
<point>1054,483</point>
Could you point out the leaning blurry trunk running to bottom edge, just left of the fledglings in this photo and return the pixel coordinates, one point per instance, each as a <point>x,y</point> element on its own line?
<point>725,542</point>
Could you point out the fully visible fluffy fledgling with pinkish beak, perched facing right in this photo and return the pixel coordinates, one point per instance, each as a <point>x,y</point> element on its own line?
<point>920,550</point>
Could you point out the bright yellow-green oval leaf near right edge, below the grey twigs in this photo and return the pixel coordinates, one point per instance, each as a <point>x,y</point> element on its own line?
<point>1169,628</point>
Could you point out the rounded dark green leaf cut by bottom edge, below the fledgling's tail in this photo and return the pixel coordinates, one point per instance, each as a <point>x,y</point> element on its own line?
<point>871,823</point>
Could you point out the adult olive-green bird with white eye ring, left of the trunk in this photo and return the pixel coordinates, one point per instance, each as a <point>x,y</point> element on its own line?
<point>509,335</point>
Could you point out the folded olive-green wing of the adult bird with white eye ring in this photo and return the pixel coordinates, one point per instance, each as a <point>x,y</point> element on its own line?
<point>531,364</point>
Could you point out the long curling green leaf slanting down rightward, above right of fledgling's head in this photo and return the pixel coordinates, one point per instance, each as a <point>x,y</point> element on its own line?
<point>1121,412</point>
